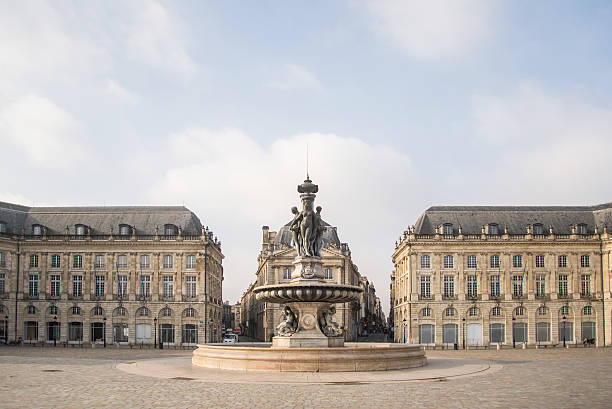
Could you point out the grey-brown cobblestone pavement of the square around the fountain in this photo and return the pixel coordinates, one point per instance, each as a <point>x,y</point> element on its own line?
<point>88,378</point>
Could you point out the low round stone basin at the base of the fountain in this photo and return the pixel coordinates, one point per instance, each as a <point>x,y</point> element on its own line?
<point>352,357</point>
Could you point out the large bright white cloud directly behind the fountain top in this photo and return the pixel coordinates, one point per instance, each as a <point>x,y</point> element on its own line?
<point>236,185</point>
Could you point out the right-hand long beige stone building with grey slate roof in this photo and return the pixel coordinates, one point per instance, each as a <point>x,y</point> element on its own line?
<point>504,275</point>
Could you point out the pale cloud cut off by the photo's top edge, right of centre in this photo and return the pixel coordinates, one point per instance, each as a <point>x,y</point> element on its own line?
<point>431,29</point>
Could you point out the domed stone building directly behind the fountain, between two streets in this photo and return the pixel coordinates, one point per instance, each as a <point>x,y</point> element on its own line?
<point>275,265</point>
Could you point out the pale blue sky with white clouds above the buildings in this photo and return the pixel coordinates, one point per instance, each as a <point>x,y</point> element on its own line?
<point>403,105</point>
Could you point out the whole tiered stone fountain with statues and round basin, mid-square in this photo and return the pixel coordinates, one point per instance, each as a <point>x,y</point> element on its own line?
<point>308,340</point>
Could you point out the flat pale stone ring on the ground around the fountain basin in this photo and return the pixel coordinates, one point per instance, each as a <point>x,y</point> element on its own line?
<point>182,369</point>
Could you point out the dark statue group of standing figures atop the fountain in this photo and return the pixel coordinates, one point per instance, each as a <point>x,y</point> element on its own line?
<point>306,230</point>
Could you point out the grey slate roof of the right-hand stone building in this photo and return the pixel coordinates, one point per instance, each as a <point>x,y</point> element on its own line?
<point>516,218</point>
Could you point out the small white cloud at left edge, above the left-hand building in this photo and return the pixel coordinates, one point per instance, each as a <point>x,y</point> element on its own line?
<point>46,133</point>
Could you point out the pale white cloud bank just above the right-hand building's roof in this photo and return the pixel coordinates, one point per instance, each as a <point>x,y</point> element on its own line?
<point>544,147</point>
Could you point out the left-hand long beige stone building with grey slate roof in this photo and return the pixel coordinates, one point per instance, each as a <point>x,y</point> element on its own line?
<point>122,275</point>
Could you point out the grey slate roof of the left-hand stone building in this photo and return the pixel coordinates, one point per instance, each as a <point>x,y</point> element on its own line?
<point>99,219</point>
